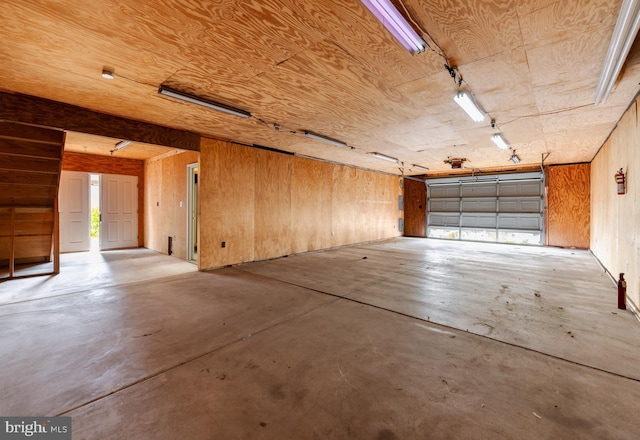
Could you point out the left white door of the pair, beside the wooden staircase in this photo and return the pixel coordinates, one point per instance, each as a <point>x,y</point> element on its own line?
<point>74,212</point>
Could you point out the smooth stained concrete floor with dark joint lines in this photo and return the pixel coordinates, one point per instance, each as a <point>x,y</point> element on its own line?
<point>403,339</point>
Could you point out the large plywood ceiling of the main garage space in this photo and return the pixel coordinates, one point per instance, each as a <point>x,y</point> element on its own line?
<point>328,66</point>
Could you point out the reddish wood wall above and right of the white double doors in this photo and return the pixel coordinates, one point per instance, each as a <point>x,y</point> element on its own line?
<point>90,163</point>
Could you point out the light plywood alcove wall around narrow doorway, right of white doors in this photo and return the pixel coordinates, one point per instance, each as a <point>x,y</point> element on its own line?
<point>166,202</point>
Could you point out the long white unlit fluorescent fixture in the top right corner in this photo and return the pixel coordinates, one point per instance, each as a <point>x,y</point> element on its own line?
<point>622,39</point>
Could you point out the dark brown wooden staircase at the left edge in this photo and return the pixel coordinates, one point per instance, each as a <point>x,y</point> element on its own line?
<point>30,166</point>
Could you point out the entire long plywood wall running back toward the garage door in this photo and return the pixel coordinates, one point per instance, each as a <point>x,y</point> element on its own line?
<point>264,204</point>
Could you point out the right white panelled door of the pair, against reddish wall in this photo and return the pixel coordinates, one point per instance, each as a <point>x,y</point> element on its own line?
<point>118,211</point>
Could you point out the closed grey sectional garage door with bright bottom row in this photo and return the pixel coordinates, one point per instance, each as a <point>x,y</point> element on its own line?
<point>506,208</point>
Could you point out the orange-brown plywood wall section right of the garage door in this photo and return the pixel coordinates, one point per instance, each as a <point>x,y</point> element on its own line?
<point>568,205</point>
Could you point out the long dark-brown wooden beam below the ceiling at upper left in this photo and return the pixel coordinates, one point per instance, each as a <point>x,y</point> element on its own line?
<point>43,112</point>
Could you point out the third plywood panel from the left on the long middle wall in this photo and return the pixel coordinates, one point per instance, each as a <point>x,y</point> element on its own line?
<point>311,195</point>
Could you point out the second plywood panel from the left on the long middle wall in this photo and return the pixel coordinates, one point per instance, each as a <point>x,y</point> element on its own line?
<point>272,205</point>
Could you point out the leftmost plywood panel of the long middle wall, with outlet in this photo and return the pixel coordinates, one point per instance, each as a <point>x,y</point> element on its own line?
<point>227,196</point>
